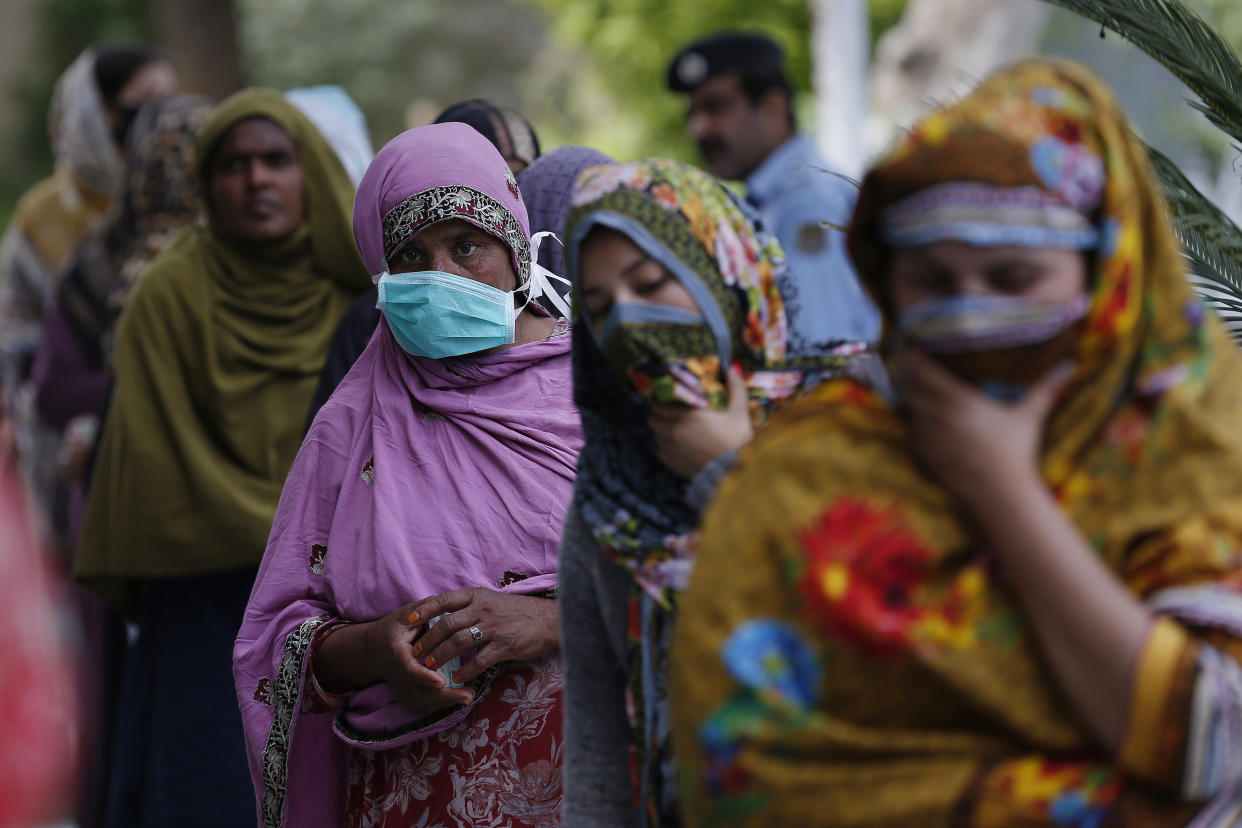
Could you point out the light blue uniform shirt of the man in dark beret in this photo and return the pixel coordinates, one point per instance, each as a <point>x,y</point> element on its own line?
<point>796,196</point>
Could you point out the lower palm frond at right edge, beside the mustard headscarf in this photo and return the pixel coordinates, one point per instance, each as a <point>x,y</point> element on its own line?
<point>1212,241</point>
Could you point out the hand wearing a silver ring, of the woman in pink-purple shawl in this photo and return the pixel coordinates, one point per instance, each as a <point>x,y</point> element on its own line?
<point>512,629</point>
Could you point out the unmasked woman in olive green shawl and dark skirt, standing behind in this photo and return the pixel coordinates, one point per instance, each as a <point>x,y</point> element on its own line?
<point>218,356</point>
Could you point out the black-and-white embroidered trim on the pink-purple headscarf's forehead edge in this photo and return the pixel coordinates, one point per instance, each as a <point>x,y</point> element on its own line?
<point>409,218</point>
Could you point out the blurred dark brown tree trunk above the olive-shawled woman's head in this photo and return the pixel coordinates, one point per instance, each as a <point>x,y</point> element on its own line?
<point>202,39</point>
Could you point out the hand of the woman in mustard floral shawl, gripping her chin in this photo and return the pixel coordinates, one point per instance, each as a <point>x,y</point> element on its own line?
<point>972,444</point>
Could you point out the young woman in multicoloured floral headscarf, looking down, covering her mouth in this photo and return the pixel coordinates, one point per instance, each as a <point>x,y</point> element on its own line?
<point>679,354</point>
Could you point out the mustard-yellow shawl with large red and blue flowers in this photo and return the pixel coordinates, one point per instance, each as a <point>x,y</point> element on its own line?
<point>849,656</point>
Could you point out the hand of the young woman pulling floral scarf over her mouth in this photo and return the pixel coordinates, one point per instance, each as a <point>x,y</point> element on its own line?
<point>687,440</point>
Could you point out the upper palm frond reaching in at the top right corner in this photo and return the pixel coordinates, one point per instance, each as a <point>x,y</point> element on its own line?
<point>1184,44</point>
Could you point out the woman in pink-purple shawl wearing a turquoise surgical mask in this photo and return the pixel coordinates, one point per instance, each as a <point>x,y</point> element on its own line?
<point>434,481</point>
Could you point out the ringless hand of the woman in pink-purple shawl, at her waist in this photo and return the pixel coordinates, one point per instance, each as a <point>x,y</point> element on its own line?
<point>360,656</point>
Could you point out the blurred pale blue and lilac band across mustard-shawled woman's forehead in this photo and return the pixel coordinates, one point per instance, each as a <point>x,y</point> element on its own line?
<point>987,217</point>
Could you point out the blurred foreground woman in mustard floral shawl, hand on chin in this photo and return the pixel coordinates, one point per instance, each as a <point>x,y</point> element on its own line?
<point>969,611</point>
